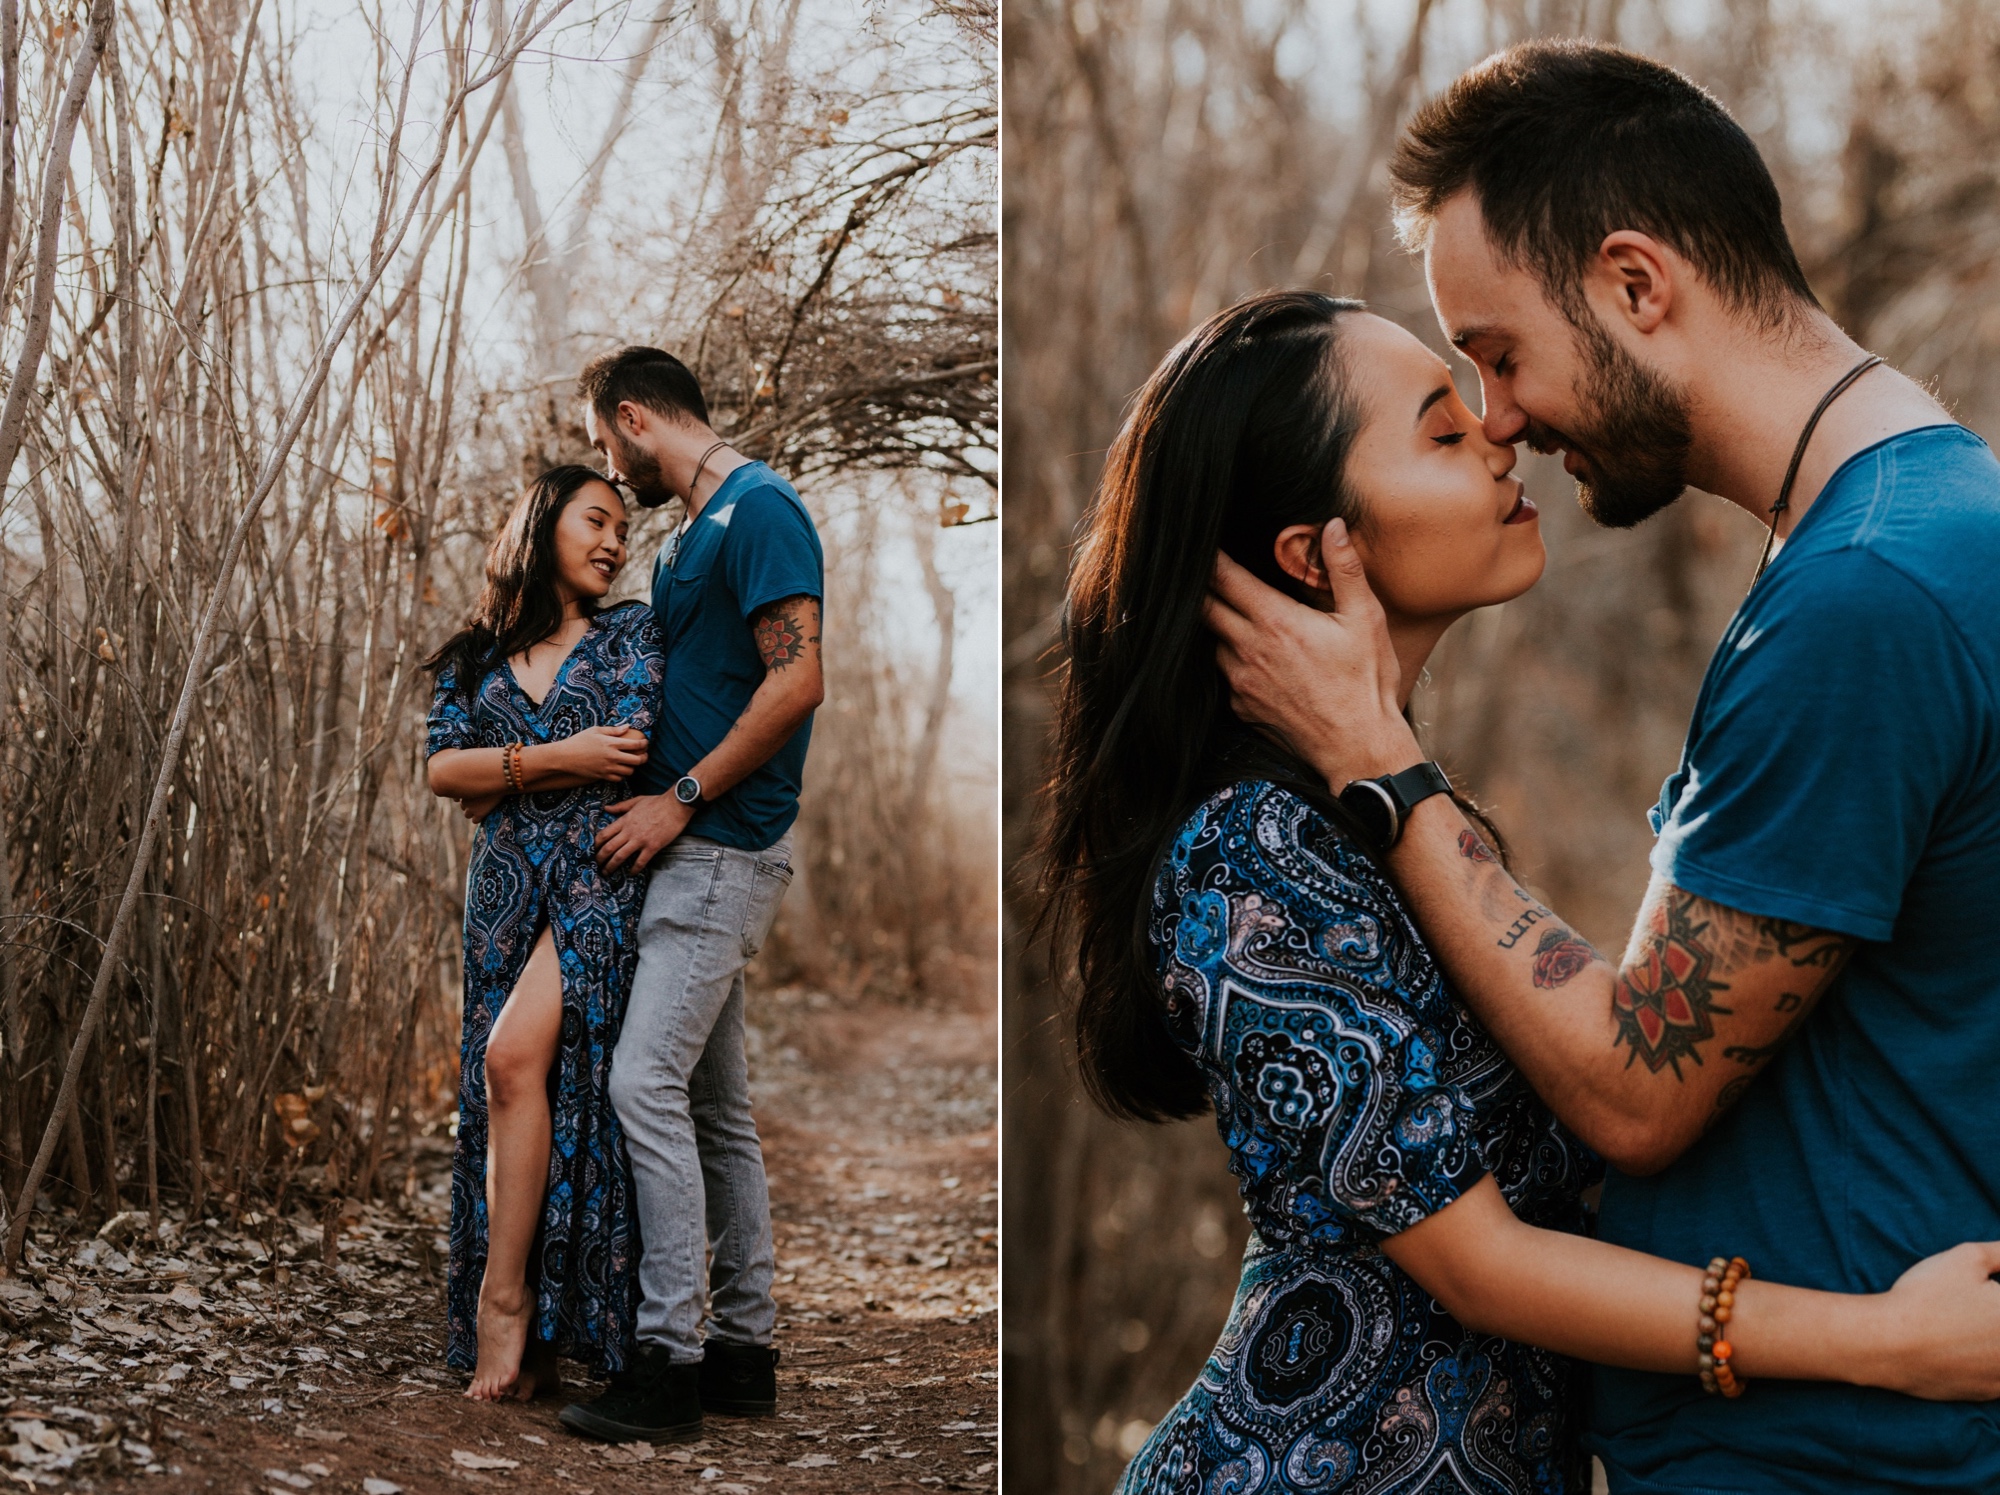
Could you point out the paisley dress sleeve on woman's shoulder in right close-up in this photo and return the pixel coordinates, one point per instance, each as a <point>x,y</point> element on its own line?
<point>1323,1018</point>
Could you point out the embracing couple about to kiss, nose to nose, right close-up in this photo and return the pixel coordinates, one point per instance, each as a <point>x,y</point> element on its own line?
<point>1277,908</point>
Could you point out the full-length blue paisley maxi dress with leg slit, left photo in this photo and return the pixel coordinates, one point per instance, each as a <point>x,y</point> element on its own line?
<point>533,864</point>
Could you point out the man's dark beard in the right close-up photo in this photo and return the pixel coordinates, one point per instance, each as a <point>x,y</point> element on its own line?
<point>1631,443</point>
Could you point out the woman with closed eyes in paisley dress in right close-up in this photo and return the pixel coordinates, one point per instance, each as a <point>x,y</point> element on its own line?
<point>1419,1270</point>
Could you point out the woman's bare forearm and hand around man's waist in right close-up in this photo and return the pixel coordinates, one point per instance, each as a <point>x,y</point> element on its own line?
<point>1935,1334</point>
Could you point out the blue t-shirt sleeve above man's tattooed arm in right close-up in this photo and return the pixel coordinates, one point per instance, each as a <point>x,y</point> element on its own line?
<point>1839,723</point>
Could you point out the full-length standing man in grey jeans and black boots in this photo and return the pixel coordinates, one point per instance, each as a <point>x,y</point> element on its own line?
<point>737,597</point>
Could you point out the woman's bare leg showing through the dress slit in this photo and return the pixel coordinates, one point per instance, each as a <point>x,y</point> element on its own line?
<point>519,1056</point>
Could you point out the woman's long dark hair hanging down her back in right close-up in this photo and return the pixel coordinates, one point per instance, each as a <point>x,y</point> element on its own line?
<point>1241,433</point>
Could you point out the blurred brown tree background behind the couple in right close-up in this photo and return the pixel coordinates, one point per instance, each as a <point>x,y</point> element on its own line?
<point>1169,157</point>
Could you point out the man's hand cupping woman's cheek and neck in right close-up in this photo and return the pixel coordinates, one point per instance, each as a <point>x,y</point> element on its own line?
<point>1325,683</point>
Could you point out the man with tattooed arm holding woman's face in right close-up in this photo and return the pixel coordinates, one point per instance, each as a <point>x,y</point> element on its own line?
<point>1795,1058</point>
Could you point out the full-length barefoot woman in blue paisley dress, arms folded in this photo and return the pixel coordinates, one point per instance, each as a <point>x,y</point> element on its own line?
<point>543,705</point>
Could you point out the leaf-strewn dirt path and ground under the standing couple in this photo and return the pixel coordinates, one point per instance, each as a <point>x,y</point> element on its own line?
<point>243,1362</point>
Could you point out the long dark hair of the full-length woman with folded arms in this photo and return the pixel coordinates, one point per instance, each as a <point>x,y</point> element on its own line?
<point>519,607</point>
